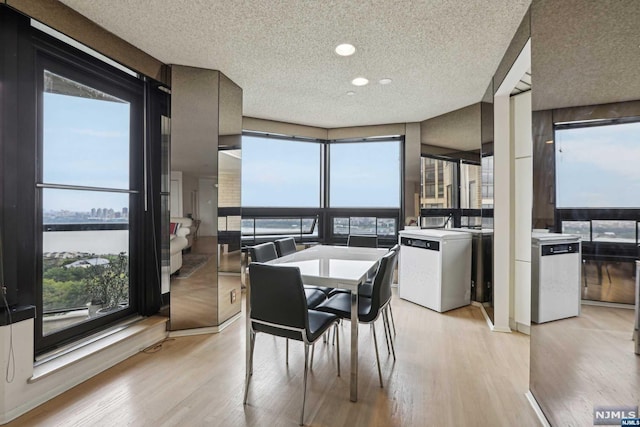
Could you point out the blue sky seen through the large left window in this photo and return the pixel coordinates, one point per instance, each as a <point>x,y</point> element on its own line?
<point>86,143</point>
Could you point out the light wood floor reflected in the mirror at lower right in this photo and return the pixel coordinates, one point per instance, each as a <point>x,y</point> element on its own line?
<point>584,361</point>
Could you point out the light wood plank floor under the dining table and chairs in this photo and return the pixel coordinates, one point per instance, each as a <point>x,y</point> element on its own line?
<point>451,371</point>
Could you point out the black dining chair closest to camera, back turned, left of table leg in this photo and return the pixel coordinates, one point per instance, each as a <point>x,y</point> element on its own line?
<point>277,306</point>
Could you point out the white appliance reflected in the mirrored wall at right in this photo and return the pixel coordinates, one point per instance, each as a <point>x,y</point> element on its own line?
<point>555,276</point>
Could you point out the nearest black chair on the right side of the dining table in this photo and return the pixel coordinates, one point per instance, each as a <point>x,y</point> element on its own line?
<point>369,309</point>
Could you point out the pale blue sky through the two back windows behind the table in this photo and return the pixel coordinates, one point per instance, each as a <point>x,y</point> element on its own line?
<point>281,173</point>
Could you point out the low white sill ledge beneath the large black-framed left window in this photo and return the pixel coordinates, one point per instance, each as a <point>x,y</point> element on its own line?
<point>92,346</point>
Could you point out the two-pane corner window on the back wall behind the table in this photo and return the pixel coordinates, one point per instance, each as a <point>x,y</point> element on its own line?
<point>318,190</point>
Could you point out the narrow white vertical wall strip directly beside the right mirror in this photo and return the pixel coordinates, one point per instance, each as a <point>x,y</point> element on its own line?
<point>520,309</point>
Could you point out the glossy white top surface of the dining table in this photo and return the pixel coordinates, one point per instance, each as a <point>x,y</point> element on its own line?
<point>334,266</point>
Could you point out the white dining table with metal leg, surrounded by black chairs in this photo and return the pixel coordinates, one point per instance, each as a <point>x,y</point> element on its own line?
<point>342,267</point>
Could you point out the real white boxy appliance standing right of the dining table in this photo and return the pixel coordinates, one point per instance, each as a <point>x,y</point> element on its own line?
<point>435,268</point>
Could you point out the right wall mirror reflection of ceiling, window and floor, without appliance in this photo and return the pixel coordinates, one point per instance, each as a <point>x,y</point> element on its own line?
<point>585,183</point>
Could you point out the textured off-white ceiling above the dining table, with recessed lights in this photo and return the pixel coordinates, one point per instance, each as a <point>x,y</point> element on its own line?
<point>440,54</point>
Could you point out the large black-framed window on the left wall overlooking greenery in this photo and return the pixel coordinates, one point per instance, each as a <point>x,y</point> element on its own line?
<point>80,198</point>
